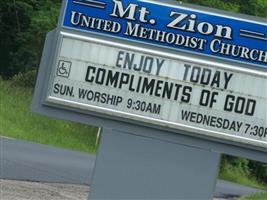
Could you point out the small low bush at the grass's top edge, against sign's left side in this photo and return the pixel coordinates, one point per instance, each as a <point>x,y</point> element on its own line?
<point>26,79</point>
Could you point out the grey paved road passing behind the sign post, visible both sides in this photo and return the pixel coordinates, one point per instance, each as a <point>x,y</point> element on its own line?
<point>33,162</point>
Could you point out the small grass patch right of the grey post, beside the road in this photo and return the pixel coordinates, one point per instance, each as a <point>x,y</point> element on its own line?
<point>236,175</point>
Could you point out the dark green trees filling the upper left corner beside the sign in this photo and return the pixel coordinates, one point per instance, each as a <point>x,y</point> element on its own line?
<point>23,26</point>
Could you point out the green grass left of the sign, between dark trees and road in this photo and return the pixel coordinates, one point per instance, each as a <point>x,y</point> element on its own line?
<point>17,121</point>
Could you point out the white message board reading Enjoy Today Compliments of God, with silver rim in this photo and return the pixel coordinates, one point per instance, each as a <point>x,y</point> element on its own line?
<point>126,83</point>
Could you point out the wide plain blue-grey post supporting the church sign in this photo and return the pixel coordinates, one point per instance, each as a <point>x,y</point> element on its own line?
<point>131,166</point>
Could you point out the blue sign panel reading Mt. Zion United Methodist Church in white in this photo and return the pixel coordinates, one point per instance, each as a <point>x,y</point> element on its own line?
<point>176,27</point>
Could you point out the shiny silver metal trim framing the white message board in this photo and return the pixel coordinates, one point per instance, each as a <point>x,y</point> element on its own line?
<point>132,118</point>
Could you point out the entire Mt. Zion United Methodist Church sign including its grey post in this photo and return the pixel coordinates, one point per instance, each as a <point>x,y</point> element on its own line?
<point>172,86</point>
